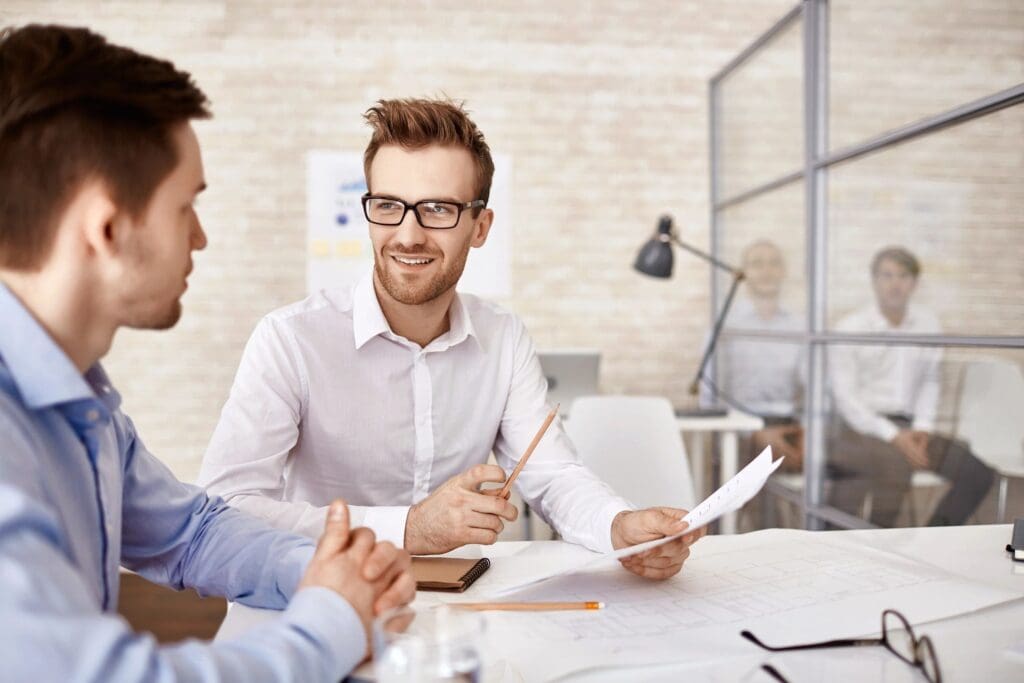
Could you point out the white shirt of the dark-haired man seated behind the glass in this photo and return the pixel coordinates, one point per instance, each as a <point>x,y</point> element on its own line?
<point>872,381</point>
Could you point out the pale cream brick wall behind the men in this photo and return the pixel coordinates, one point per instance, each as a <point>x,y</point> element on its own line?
<point>602,105</point>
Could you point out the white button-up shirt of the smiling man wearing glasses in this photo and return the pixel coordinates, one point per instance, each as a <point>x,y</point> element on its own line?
<point>329,403</point>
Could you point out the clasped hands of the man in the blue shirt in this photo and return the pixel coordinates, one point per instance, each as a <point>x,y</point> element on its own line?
<point>372,577</point>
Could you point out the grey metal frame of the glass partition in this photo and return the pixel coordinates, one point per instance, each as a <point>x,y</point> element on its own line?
<point>818,160</point>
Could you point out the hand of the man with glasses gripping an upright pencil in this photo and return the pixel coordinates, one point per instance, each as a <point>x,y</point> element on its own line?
<point>458,514</point>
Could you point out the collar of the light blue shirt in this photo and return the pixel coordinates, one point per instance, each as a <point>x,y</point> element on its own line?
<point>42,372</point>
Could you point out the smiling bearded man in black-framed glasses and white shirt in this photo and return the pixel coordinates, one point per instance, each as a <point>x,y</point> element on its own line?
<point>395,393</point>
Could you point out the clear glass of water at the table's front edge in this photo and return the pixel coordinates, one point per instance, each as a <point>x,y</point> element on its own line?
<point>429,646</point>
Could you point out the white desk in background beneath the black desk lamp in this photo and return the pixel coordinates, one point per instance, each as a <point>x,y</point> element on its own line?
<point>728,428</point>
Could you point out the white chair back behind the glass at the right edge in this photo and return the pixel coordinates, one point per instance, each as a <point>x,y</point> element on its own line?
<point>991,414</point>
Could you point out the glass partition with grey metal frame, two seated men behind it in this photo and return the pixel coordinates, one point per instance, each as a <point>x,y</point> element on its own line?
<point>868,174</point>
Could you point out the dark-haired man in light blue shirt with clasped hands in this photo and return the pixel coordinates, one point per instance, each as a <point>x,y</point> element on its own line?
<point>100,169</point>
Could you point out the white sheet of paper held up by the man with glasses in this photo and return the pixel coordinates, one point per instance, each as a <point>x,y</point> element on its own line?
<point>731,496</point>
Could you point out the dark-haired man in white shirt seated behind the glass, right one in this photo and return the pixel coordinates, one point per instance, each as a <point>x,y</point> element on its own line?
<point>886,398</point>
